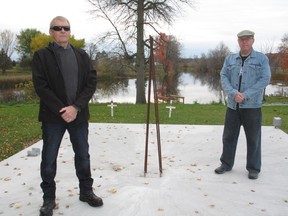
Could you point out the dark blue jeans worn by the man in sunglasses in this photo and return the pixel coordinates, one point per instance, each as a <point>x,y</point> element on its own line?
<point>52,134</point>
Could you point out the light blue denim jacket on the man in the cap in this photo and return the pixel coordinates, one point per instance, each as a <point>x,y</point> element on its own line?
<point>255,77</point>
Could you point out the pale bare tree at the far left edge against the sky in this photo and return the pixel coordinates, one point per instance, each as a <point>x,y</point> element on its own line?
<point>7,42</point>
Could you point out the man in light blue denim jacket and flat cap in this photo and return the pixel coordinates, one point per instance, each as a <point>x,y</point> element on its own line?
<point>244,77</point>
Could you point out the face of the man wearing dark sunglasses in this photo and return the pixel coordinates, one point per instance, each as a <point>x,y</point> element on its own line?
<point>60,32</point>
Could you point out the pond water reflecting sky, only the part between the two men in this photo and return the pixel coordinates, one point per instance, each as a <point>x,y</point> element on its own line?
<point>187,85</point>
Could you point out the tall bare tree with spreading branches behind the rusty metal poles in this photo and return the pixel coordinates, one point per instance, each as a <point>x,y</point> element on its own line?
<point>128,18</point>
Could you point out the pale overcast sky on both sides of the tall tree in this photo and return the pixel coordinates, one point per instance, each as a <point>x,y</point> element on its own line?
<point>198,30</point>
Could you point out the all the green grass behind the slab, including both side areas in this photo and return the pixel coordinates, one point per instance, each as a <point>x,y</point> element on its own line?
<point>19,127</point>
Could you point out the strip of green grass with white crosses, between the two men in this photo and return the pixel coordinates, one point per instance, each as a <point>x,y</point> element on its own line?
<point>183,114</point>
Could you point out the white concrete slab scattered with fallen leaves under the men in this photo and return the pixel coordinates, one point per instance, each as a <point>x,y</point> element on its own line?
<point>187,187</point>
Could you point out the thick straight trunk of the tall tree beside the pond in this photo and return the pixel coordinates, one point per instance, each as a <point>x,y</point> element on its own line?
<point>140,58</point>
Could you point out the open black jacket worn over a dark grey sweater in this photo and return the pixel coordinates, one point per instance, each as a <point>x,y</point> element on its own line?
<point>50,87</point>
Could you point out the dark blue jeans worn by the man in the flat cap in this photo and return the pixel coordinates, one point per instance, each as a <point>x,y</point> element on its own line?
<point>251,120</point>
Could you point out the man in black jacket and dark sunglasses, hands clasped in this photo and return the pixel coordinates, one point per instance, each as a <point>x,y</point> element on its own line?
<point>65,81</point>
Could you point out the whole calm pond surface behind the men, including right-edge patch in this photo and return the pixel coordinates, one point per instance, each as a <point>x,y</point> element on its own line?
<point>200,88</point>
